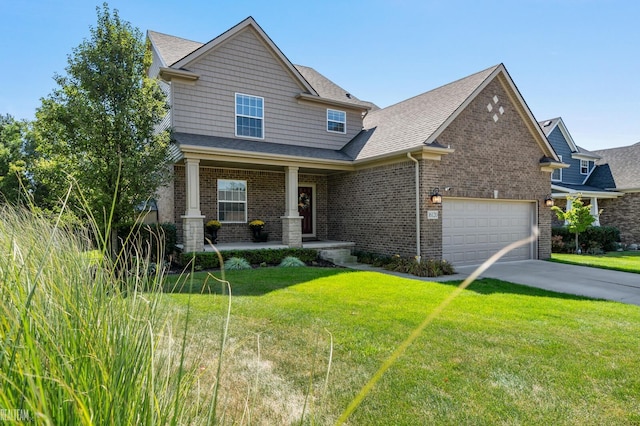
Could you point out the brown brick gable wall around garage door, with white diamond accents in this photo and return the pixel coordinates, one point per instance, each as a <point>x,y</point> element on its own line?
<point>501,156</point>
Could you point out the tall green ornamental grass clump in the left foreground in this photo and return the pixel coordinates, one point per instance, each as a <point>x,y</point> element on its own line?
<point>79,342</point>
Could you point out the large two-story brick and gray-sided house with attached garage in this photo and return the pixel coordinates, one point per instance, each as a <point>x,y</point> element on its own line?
<point>257,137</point>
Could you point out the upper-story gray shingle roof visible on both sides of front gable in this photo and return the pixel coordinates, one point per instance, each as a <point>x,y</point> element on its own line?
<point>171,49</point>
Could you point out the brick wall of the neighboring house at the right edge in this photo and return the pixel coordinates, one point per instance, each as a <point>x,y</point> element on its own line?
<point>623,214</point>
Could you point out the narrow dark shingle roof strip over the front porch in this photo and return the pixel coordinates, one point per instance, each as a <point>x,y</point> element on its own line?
<point>258,147</point>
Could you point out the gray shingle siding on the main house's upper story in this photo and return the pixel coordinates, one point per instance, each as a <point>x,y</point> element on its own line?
<point>244,64</point>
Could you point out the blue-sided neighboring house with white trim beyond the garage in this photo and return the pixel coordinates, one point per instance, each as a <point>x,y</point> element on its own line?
<point>578,177</point>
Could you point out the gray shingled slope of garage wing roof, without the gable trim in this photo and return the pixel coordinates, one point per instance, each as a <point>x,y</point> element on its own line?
<point>410,123</point>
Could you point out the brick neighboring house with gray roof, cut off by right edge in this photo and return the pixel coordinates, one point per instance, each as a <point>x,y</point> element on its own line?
<point>618,169</point>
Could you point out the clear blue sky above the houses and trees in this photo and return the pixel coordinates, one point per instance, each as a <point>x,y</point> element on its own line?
<point>578,59</point>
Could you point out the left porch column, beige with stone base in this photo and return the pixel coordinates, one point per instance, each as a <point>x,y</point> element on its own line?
<point>193,220</point>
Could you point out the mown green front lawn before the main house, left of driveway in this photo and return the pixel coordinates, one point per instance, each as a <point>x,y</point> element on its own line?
<point>499,354</point>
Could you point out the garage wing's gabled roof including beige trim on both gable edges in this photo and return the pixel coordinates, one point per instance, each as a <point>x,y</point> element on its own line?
<point>418,121</point>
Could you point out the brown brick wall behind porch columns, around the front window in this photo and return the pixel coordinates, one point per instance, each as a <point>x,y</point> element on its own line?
<point>265,201</point>
